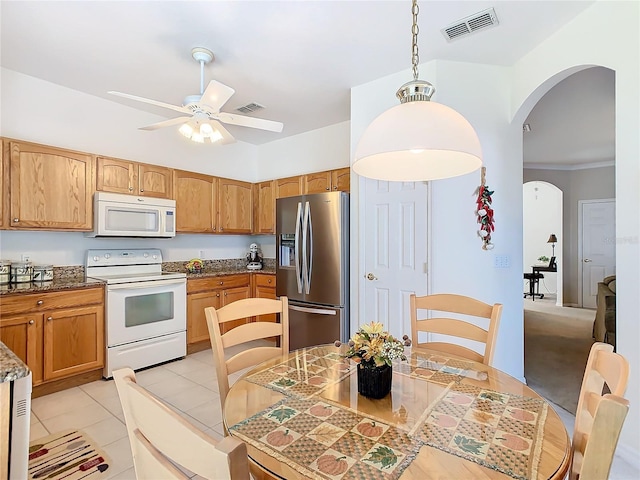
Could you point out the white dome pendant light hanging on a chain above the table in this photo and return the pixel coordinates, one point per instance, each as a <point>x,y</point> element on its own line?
<point>418,139</point>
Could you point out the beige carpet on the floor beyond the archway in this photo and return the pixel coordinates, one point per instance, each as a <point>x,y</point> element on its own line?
<point>557,341</point>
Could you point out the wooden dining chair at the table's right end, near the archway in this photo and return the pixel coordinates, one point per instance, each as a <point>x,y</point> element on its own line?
<point>599,416</point>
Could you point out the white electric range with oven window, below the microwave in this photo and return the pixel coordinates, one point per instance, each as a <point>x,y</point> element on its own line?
<point>145,308</point>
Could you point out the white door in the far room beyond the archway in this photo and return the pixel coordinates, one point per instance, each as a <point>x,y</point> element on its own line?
<point>598,252</point>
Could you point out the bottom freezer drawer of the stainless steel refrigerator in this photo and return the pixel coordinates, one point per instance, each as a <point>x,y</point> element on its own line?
<point>311,325</point>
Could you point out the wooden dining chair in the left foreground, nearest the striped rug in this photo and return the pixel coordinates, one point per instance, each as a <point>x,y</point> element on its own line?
<point>161,439</point>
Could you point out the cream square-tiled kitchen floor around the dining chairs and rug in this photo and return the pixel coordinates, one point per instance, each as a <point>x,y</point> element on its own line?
<point>189,386</point>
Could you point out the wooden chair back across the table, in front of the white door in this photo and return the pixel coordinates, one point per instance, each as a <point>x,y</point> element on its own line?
<point>456,327</point>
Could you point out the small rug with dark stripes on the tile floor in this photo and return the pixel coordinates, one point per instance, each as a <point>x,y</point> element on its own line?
<point>69,455</point>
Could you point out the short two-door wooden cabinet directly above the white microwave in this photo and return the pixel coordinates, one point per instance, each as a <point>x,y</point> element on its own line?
<point>122,176</point>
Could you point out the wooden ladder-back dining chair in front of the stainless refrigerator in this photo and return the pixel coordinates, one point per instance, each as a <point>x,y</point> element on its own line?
<point>246,308</point>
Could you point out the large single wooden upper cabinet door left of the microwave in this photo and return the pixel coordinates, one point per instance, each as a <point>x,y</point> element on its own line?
<point>50,188</point>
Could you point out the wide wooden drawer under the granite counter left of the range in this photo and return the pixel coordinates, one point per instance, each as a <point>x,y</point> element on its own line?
<point>39,302</point>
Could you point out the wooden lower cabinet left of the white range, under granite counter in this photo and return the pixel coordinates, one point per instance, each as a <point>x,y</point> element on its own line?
<point>57,334</point>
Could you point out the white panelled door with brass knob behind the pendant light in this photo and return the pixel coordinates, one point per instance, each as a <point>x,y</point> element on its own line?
<point>395,256</point>
